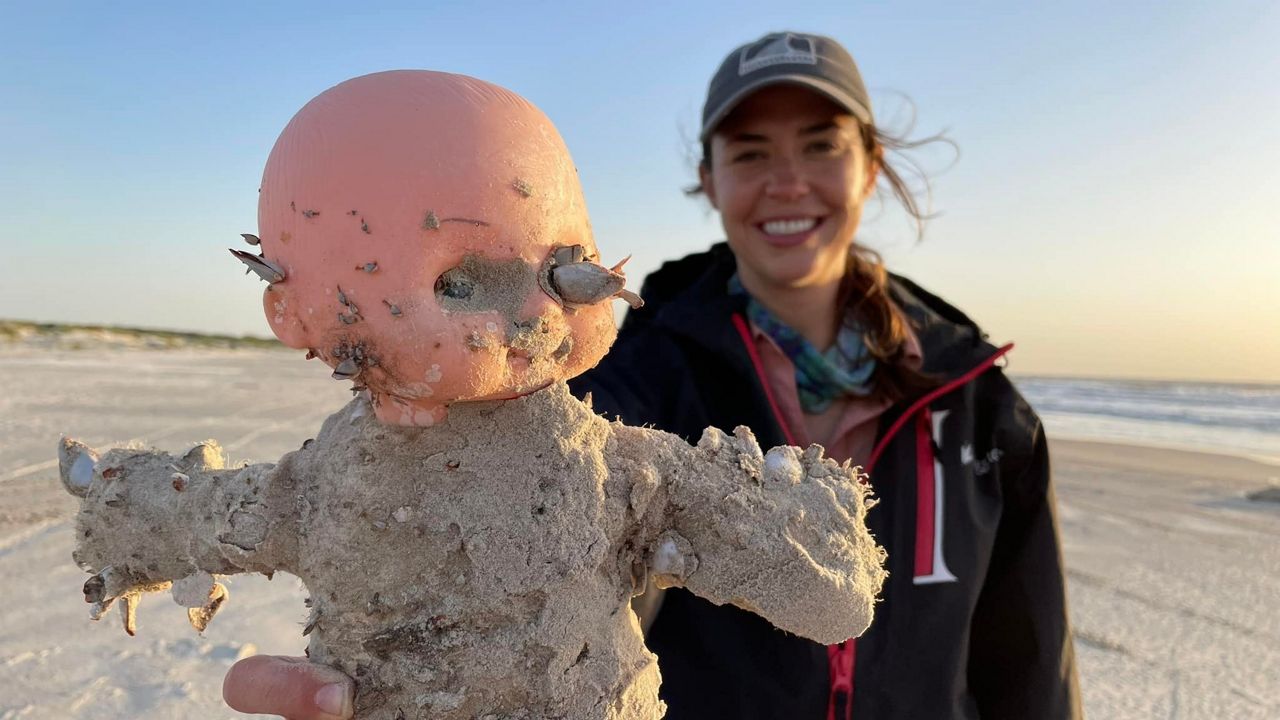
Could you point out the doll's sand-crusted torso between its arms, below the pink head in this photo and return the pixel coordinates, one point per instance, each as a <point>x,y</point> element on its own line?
<point>486,563</point>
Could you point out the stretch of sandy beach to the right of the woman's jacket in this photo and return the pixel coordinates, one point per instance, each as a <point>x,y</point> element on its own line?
<point>1173,578</point>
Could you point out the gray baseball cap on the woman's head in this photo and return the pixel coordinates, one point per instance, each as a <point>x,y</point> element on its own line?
<point>787,58</point>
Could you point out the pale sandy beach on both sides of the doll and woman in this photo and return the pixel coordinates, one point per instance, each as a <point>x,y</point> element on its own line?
<point>1173,571</point>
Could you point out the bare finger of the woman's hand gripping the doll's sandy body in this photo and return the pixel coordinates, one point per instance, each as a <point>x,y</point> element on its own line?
<point>292,687</point>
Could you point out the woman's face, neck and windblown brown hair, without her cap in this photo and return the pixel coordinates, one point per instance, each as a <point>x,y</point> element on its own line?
<point>793,168</point>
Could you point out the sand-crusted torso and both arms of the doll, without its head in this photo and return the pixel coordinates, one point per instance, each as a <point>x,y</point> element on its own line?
<point>483,567</point>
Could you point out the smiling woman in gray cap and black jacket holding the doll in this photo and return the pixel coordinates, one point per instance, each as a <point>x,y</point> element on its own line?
<point>794,330</point>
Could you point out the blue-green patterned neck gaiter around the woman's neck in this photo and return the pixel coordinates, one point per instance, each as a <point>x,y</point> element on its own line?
<point>847,368</point>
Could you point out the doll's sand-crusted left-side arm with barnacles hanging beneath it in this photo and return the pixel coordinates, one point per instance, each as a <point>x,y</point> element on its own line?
<point>150,521</point>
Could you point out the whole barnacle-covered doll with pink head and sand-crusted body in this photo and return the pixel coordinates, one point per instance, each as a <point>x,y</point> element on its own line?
<point>470,534</point>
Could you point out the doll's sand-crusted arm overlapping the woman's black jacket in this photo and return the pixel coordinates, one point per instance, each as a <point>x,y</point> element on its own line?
<point>781,535</point>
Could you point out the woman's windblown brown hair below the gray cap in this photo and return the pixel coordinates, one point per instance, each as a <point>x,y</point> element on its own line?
<point>865,291</point>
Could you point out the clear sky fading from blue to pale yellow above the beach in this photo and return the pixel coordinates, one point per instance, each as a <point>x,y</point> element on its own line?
<point>1114,209</point>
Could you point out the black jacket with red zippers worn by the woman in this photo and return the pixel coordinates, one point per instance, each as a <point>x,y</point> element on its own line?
<point>973,619</point>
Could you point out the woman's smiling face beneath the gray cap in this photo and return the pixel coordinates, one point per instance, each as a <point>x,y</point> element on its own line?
<point>789,176</point>
